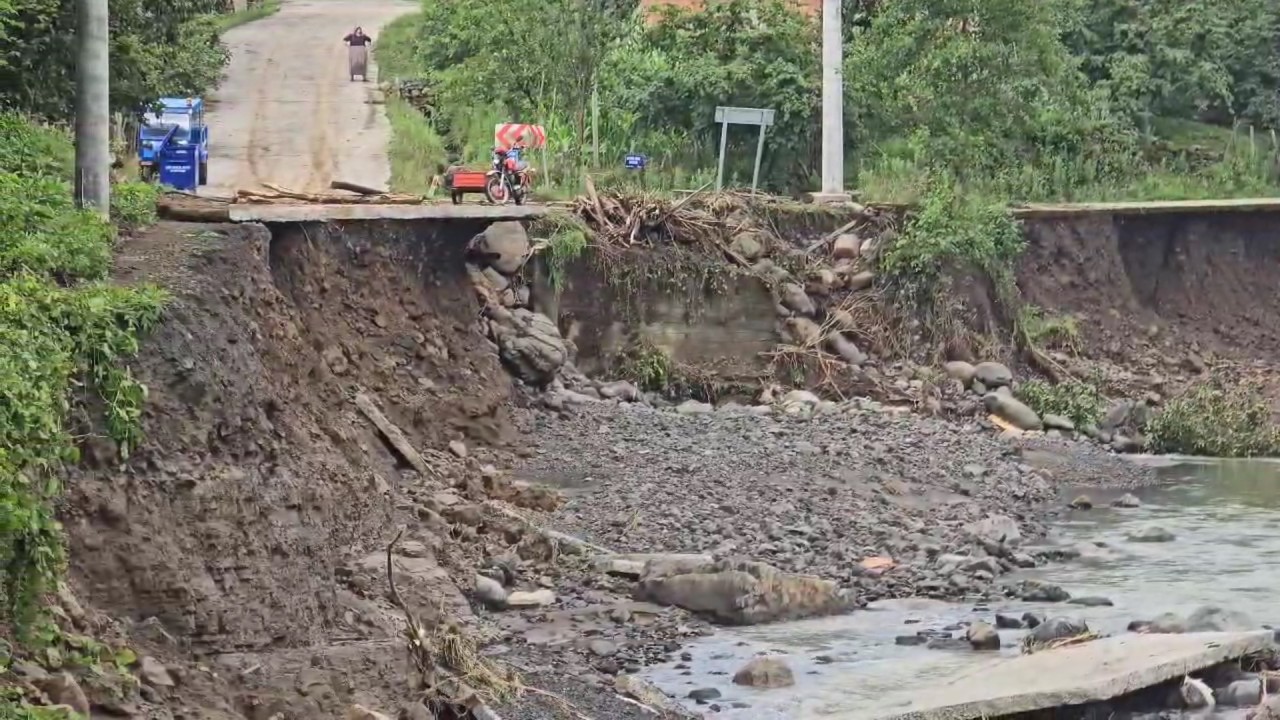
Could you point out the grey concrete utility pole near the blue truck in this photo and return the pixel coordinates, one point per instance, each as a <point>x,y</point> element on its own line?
<point>93,108</point>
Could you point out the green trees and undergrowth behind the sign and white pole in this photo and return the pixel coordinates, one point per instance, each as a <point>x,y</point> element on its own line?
<point>1014,102</point>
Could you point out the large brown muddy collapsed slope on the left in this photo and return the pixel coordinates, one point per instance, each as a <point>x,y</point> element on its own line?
<point>236,523</point>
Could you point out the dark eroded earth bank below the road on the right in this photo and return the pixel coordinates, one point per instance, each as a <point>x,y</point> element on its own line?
<point>1208,282</point>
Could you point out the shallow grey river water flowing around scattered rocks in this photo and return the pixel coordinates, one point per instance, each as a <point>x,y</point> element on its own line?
<point>1226,516</point>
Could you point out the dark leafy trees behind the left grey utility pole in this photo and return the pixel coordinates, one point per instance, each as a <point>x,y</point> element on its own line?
<point>158,48</point>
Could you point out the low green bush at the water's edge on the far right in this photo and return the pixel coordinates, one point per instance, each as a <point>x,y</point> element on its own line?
<point>1217,421</point>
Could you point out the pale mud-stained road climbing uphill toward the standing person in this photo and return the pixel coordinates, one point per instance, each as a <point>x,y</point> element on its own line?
<point>289,113</point>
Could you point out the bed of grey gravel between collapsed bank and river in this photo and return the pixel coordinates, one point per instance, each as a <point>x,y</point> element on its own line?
<point>816,494</point>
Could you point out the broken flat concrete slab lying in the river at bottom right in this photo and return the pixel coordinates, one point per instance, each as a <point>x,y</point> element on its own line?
<point>1080,675</point>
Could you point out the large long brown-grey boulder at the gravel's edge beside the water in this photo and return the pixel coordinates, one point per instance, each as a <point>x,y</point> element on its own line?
<point>742,593</point>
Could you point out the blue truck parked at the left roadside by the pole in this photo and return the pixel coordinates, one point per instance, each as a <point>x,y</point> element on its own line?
<point>173,144</point>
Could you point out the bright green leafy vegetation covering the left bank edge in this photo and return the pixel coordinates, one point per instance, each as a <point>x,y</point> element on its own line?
<point>65,336</point>
